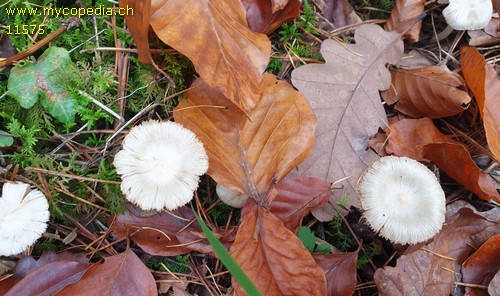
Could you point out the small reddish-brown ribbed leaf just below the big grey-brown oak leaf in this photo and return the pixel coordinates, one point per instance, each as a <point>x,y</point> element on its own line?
<point>296,197</point>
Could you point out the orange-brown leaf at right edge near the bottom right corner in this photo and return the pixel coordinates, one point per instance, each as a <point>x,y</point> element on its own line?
<point>481,267</point>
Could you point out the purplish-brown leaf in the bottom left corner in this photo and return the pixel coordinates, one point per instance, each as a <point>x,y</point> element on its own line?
<point>45,276</point>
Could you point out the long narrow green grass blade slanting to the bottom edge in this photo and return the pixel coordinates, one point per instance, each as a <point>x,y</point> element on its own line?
<point>228,261</point>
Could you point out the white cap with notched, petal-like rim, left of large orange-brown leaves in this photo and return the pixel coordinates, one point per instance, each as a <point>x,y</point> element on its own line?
<point>160,164</point>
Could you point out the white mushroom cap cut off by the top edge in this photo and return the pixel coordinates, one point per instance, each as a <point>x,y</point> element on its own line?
<point>468,14</point>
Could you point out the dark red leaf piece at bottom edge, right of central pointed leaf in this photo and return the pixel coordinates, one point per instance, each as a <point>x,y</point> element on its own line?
<point>340,271</point>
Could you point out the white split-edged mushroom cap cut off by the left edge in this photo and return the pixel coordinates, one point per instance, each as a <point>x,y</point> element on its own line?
<point>23,217</point>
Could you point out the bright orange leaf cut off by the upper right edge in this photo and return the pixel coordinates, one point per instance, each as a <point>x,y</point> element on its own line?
<point>483,81</point>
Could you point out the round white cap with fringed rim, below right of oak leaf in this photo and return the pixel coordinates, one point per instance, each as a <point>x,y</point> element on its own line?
<point>402,200</point>
